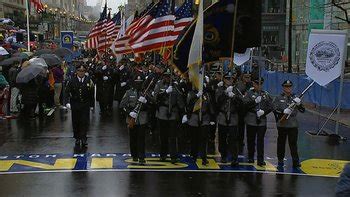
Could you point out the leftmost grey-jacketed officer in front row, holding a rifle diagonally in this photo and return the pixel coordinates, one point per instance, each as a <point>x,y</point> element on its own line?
<point>135,104</point>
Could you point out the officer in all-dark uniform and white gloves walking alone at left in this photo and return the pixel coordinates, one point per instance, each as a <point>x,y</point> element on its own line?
<point>80,92</point>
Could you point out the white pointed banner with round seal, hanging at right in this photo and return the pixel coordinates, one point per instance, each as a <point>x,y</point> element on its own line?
<point>326,55</point>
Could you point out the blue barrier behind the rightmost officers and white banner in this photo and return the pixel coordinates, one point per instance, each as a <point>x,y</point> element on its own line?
<point>321,96</point>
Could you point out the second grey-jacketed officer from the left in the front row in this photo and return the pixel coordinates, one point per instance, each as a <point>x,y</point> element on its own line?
<point>170,107</point>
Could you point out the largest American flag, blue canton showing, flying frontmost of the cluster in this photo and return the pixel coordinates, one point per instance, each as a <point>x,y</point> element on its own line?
<point>156,31</point>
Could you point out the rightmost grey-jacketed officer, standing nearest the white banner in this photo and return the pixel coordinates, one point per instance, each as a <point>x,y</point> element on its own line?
<point>287,128</point>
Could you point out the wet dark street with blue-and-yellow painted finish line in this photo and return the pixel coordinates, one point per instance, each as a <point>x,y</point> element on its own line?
<point>108,136</point>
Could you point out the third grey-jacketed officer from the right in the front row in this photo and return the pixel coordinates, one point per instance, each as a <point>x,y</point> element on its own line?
<point>229,102</point>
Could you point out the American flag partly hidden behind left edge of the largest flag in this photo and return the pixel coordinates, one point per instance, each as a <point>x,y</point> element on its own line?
<point>121,44</point>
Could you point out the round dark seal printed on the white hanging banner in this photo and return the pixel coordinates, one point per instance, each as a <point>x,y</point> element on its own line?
<point>324,56</point>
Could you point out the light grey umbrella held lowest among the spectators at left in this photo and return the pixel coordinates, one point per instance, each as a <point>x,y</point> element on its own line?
<point>30,72</point>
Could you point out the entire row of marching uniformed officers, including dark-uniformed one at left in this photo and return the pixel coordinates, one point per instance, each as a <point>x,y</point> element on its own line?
<point>231,106</point>
